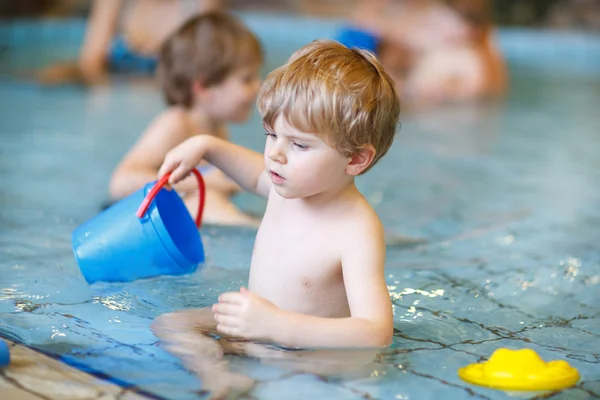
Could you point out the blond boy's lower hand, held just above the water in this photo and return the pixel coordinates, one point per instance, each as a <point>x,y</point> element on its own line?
<point>245,314</point>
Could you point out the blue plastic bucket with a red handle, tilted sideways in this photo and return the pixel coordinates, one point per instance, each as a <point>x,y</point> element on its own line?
<point>160,238</point>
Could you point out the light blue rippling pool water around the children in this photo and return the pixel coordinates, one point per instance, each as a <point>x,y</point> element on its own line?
<point>506,198</point>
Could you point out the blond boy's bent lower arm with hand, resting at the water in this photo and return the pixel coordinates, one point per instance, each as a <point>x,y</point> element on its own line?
<point>371,321</point>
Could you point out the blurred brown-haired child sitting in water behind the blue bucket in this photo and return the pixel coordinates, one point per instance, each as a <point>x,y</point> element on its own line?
<point>209,73</point>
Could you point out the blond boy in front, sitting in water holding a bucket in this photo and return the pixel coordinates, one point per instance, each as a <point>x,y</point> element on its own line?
<point>317,271</point>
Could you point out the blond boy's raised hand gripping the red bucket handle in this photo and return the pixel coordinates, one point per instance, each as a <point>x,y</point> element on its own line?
<point>181,160</point>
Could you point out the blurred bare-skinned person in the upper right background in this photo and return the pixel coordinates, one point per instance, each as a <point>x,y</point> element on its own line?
<point>437,51</point>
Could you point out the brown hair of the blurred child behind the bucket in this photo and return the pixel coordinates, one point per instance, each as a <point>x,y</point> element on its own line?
<point>207,48</point>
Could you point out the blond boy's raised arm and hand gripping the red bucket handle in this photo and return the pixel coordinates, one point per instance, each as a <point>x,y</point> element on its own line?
<point>246,167</point>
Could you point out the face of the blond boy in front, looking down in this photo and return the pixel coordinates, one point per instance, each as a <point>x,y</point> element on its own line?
<point>302,164</point>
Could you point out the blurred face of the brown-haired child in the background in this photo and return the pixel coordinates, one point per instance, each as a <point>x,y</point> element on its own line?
<point>233,99</point>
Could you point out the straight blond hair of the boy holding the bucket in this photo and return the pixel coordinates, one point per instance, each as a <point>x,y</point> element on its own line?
<point>342,94</point>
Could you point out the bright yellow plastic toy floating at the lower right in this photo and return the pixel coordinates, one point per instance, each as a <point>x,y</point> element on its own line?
<point>520,370</point>
